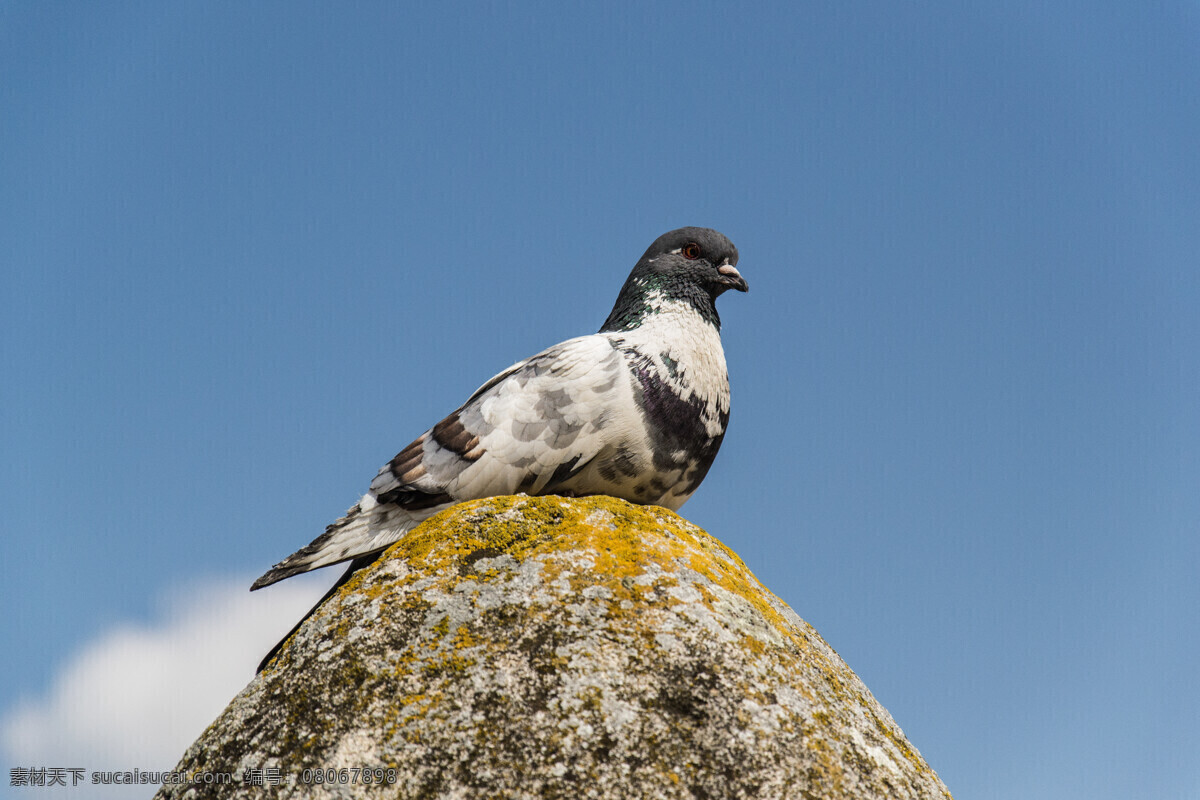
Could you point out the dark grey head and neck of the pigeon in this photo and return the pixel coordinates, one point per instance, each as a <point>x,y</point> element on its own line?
<point>687,266</point>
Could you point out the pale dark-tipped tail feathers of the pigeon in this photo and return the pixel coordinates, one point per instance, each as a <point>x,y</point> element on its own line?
<point>365,530</point>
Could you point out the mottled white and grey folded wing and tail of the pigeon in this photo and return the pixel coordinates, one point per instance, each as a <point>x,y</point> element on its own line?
<point>537,428</point>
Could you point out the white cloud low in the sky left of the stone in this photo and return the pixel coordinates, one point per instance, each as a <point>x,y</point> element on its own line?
<point>140,694</point>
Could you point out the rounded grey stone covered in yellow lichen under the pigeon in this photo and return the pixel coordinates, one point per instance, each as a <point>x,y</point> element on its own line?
<point>557,648</point>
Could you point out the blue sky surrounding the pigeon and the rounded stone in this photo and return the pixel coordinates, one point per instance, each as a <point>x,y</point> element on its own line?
<point>250,251</point>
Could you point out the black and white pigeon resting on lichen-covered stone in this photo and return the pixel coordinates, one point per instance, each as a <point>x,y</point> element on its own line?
<point>637,411</point>
